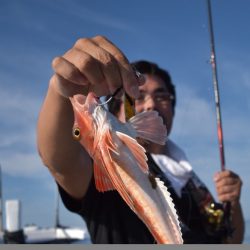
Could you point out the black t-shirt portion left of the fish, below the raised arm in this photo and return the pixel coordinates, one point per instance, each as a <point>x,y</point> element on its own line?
<point>108,218</point>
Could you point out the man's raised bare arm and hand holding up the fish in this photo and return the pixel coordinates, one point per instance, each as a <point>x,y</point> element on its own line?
<point>93,64</point>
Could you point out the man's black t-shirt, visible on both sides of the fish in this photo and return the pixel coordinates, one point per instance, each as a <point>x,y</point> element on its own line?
<point>110,220</point>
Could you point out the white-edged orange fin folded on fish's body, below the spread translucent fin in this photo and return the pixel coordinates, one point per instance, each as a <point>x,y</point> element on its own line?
<point>136,149</point>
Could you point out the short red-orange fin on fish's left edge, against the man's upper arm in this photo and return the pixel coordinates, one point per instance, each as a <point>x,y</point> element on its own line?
<point>102,181</point>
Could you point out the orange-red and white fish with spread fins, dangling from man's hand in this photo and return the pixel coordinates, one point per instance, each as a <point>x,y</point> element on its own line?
<point>120,162</point>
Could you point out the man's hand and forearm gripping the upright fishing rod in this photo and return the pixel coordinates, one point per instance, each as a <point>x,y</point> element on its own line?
<point>228,187</point>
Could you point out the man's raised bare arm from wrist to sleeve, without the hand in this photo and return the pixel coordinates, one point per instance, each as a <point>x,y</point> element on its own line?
<point>66,159</point>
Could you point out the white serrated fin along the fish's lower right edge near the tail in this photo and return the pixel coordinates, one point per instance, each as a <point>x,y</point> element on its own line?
<point>172,217</point>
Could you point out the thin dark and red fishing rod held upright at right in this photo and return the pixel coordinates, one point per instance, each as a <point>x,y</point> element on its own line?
<point>227,206</point>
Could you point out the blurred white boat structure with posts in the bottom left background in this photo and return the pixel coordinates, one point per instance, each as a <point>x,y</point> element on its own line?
<point>13,233</point>
